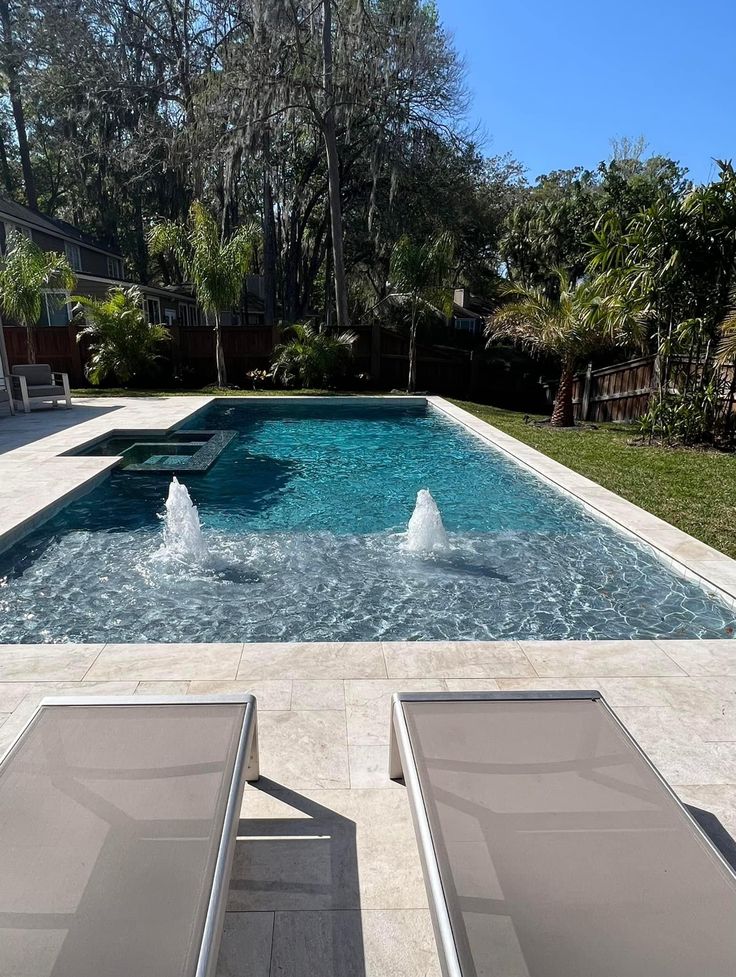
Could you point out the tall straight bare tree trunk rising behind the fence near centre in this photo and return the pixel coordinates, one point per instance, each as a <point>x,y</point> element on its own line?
<point>333,173</point>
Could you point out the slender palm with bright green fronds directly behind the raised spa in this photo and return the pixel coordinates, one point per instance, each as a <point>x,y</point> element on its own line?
<point>216,267</point>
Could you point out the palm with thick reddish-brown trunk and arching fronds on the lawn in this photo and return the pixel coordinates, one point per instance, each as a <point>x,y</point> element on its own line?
<point>568,326</point>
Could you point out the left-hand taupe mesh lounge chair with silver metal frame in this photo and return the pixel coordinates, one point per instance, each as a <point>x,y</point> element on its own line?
<point>118,819</point>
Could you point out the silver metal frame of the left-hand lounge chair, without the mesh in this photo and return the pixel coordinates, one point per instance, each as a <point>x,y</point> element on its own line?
<point>246,769</point>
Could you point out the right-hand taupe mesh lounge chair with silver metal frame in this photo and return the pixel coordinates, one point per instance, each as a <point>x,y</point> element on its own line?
<point>551,846</point>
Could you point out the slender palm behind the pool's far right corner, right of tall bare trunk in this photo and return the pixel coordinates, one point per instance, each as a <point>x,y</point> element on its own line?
<point>420,274</point>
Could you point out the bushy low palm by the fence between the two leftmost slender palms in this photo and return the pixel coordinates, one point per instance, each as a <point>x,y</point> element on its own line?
<point>122,342</point>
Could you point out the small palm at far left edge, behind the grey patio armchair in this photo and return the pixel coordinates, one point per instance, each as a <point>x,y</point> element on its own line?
<point>26,272</point>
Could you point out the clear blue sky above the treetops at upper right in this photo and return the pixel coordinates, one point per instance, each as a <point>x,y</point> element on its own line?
<point>552,83</point>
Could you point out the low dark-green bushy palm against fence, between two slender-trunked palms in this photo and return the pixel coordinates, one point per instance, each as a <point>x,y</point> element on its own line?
<point>311,357</point>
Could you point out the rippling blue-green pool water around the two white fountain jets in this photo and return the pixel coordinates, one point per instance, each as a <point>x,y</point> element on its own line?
<point>304,514</point>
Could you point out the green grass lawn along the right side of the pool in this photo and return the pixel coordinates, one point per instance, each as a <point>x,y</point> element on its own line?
<point>693,490</point>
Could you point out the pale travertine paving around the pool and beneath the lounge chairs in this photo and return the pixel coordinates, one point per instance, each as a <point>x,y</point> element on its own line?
<point>327,881</point>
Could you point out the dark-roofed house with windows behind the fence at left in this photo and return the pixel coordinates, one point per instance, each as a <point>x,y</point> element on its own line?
<point>97,267</point>
